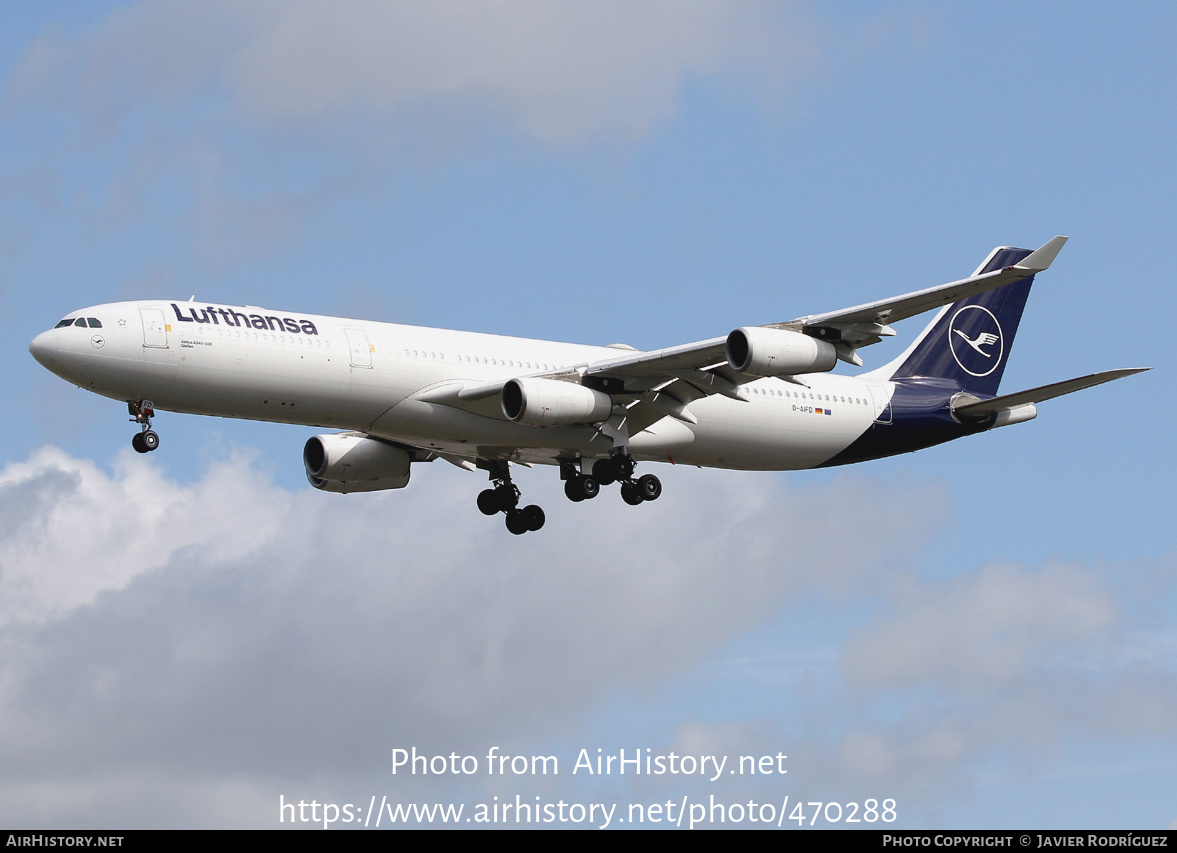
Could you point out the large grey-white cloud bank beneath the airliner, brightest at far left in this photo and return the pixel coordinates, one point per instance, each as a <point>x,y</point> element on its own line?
<point>229,630</point>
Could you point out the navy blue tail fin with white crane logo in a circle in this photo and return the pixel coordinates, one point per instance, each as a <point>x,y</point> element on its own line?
<point>969,342</point>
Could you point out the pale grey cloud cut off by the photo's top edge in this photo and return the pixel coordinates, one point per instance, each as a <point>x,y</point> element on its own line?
<point>561,72</point>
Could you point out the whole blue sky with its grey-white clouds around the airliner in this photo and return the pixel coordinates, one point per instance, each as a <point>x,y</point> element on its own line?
<point>982,631</point>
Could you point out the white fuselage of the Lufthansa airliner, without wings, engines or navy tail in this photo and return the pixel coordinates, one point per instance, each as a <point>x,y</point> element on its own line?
<point>369,377</point>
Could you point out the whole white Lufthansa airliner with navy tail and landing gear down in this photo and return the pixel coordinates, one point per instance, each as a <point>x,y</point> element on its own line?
<point>762,398</point>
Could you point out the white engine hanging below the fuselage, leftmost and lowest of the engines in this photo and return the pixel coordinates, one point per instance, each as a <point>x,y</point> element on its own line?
<point>355,463</point>
